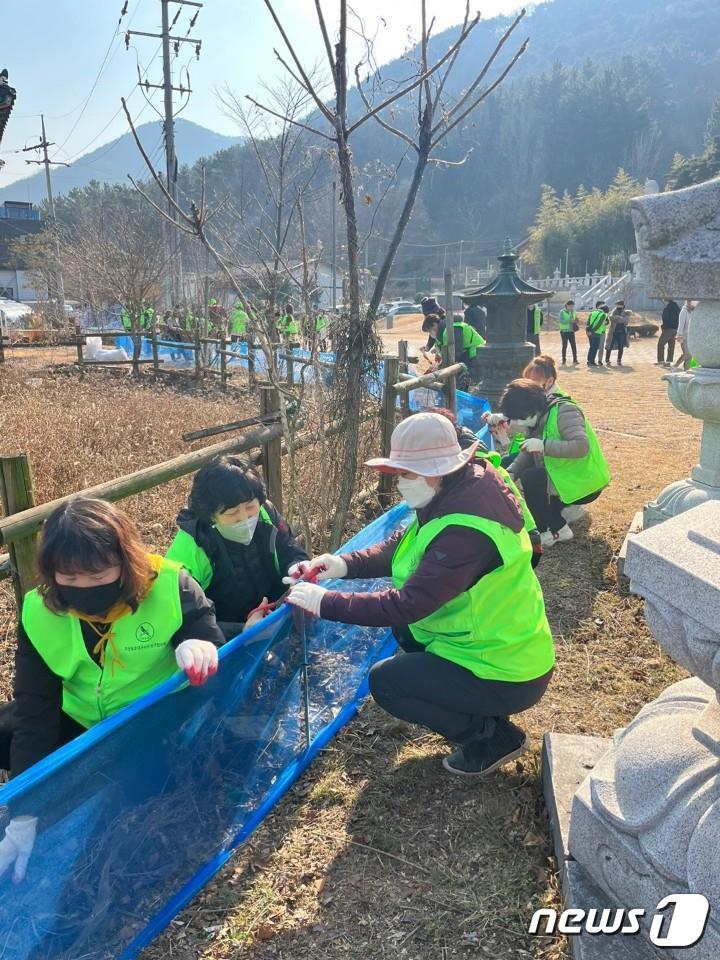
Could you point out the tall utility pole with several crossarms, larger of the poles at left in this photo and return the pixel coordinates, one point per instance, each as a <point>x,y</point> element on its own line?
<point>174,285</point>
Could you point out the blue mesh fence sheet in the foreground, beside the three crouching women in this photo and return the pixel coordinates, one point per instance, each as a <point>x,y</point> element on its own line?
<point>139,812</point>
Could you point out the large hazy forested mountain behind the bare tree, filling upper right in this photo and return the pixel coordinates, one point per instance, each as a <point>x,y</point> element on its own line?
<point>622,83</point>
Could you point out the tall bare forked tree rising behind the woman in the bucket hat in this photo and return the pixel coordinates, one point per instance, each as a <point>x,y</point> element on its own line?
<point>333,124</point>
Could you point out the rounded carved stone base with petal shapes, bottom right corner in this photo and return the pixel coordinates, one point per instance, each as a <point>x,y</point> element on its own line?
<point>646,823</point>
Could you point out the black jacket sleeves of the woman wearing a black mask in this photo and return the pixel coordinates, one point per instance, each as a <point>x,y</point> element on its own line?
<point>38,692</point>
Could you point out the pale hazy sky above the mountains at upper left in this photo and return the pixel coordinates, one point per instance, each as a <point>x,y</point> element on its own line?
<point>54,49</point>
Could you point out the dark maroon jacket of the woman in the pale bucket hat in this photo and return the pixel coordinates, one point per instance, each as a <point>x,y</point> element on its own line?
<point>456,560</point>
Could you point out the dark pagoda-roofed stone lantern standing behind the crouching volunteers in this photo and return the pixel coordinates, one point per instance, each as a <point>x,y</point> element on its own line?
<point>507,351</point>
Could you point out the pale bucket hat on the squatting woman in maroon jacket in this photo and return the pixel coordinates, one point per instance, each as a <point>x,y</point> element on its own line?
<point>426,444</point>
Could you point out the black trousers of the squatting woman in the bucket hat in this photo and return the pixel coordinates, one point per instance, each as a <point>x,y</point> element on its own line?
<point>444,697</point>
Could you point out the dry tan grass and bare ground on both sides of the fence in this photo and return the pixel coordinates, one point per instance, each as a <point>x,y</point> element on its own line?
<point>377,852</point>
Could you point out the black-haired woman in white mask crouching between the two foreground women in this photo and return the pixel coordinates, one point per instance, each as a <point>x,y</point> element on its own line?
<point>234,542</point>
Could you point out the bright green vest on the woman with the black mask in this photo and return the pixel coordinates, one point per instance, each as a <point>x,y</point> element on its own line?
<point>142,640</point>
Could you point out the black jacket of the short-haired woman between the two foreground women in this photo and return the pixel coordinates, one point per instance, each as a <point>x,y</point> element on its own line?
<point>243,575</point>
